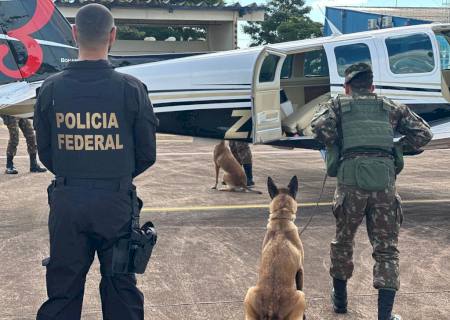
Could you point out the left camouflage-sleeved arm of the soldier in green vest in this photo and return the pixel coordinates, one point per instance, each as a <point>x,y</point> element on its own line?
<point>324,123</point>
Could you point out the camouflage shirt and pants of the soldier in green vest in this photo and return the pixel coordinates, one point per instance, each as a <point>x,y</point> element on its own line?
<point>382,209</point>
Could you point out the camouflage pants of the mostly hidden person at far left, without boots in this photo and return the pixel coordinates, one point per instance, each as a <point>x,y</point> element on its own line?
<point>25,125</point>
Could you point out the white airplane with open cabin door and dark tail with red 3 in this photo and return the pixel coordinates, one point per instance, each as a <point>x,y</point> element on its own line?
<point>255,95</point>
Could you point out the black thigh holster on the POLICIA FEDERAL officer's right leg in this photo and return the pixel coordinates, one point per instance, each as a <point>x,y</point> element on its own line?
<point>131,255</point>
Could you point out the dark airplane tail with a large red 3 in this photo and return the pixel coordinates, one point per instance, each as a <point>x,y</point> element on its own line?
<point>35,40</point>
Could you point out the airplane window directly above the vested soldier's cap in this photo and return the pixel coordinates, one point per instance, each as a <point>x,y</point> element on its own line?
<point>351,54</point>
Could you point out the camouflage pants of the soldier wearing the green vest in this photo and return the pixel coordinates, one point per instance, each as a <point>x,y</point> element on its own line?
<point>383,218</point>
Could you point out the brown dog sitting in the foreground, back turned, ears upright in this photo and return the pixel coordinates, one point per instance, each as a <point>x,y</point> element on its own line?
<point>277,294</point>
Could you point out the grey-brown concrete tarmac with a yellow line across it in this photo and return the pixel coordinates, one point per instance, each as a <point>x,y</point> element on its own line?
<point>209,241</point>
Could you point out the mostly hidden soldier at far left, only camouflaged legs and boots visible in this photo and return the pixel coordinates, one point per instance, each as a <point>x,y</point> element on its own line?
<point>25,125</point>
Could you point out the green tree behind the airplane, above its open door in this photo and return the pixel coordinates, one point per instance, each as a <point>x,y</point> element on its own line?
<point>284,20</point>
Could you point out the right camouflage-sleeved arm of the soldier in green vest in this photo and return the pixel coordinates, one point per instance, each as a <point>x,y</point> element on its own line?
<point>416,131</point>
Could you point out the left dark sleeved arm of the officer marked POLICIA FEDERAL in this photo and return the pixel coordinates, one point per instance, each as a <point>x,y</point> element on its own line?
<point>41,122</point>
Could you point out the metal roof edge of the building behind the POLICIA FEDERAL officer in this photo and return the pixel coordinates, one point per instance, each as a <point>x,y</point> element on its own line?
<point>175,4</point>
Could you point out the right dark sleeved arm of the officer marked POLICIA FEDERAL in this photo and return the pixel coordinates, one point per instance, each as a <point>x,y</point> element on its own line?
<point>144,132</point>
